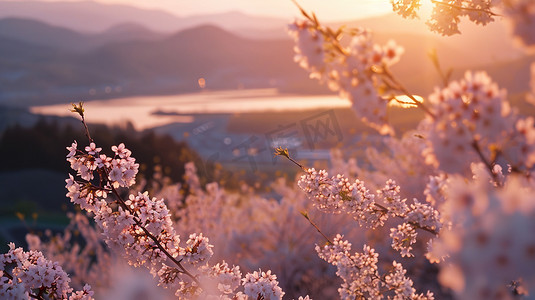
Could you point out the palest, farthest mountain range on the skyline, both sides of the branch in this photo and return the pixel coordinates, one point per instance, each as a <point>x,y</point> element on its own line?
<point>95,17</point>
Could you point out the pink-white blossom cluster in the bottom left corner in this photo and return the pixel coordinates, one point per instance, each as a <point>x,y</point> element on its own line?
<point>29,275</point>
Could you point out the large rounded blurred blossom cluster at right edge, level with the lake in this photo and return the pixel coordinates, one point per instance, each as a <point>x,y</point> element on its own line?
<point>472,118</point>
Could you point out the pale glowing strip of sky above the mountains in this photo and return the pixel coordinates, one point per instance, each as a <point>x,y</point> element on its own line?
<point>327,10</point>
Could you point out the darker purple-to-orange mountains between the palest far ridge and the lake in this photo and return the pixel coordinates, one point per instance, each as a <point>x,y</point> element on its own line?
<point>129,59</point>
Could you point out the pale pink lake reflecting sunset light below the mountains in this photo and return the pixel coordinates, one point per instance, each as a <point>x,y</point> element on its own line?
<point>152,111</point>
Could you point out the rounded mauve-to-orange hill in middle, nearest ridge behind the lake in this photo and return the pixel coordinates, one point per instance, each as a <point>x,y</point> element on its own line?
<point>200,52</point>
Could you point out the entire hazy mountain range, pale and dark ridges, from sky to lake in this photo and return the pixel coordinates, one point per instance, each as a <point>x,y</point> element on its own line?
<point>131,51</point>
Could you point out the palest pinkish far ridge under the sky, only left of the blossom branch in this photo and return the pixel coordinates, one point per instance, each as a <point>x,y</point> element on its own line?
<point>81,16</point>
